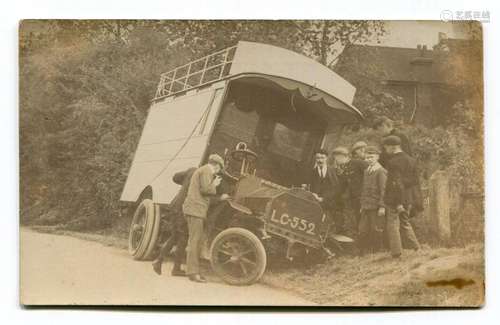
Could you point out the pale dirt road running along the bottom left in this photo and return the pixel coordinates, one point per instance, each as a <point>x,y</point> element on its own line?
<point>59,269</point>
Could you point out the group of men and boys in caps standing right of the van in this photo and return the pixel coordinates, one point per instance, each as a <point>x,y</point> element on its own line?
<point>381,184</point>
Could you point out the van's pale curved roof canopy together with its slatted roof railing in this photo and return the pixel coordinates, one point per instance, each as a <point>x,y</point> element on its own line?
<point>290,69</point>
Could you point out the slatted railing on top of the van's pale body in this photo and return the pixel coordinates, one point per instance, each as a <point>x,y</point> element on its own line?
<point>210,68</point>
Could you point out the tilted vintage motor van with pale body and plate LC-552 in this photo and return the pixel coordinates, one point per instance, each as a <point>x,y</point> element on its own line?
<point>265,110</point>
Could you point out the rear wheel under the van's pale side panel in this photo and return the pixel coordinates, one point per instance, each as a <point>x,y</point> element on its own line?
<point>144,230</point>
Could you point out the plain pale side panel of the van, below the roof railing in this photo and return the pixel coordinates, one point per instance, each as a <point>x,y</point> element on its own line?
<point>174,138</point>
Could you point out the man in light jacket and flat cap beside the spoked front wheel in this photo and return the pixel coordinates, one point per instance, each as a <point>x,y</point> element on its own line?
<point>202,187</point>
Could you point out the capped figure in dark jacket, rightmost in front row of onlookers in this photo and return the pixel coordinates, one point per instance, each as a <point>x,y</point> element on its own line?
<point>401,169</point>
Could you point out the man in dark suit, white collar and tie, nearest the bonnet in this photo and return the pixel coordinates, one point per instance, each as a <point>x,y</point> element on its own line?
<point>323,184</point>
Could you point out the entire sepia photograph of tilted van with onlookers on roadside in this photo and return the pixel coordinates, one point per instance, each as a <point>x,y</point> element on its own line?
<point>293,163</point>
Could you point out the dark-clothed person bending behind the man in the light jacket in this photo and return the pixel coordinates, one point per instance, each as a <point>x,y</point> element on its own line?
<point>179,232</point>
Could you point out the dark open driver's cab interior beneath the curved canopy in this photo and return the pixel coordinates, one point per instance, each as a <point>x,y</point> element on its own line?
<point>274,124</point>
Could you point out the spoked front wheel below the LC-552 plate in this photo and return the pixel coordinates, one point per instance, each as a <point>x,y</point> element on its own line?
<point>238,256</point>
